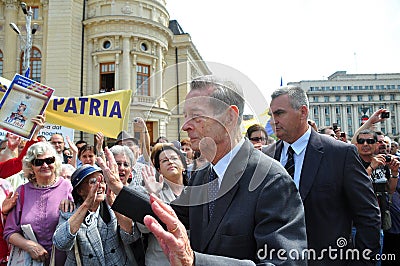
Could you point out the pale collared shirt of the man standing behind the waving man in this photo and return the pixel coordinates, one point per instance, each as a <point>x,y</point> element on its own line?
<point>299,147</point>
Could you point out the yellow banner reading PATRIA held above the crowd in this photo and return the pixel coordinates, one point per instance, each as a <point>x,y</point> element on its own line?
<point>105,112</point>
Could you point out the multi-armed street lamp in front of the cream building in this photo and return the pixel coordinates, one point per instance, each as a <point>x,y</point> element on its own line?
<point>26,41</point>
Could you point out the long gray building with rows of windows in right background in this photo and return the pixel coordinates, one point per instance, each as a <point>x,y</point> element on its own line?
<point>346,99</point>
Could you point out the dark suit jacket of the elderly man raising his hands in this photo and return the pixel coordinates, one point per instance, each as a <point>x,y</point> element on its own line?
<point>258,209</point>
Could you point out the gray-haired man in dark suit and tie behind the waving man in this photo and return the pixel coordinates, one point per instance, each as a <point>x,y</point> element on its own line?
<point>333,184</point>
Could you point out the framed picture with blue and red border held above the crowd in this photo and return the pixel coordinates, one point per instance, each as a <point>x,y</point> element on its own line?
<point>23,100</point>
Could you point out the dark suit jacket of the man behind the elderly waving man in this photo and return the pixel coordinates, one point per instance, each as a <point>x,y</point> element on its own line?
<point>336,191</point>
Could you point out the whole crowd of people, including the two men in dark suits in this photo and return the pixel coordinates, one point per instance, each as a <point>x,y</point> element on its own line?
<point>216,197</point>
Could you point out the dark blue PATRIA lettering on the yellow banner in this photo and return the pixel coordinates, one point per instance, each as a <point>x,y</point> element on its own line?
<point>96,108</point>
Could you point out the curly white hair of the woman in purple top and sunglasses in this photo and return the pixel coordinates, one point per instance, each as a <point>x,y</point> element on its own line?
<point>33,152</point>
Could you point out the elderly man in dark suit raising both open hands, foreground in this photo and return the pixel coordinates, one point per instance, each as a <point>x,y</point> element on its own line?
<point>256,215</point>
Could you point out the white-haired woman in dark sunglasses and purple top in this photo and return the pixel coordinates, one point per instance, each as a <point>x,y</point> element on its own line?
<point>38,203</point>
